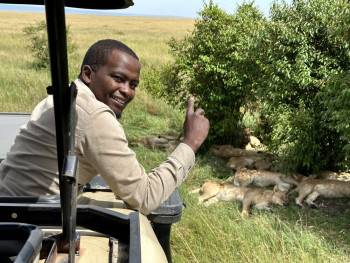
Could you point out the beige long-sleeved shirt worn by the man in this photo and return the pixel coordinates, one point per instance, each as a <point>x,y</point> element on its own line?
<point>30,168</point>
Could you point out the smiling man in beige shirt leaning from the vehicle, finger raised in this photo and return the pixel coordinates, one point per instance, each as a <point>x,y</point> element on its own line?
<point>107,83</point>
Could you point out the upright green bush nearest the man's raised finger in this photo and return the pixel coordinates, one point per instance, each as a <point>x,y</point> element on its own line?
<point>213,65</point>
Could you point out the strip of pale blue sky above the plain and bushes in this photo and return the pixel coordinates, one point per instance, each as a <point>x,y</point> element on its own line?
<point>177,8</point>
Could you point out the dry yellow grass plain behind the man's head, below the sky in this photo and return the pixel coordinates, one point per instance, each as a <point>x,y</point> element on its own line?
<point>21,86</point>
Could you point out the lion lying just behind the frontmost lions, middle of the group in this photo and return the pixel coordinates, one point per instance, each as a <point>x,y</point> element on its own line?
<point>245,177</point>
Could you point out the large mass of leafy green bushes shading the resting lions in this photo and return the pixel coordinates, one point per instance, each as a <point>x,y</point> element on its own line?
<point>269,74</point>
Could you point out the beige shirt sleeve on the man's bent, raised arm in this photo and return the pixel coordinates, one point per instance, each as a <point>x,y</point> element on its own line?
<point>106,148</point>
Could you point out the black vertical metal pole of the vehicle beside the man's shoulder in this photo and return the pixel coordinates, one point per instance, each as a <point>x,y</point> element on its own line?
<point>62,96</point>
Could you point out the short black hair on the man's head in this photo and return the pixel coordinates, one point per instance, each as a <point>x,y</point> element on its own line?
<point>98,53</point>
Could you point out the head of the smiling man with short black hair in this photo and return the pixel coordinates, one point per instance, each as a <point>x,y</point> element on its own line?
<point>112,74</point>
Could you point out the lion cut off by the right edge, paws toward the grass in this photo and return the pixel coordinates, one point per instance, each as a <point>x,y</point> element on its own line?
<point>313,188</point>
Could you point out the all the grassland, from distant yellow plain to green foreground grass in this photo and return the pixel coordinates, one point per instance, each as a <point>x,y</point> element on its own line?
<point>214,234</point>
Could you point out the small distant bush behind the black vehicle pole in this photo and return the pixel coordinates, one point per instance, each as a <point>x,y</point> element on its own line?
<point>37,36</point>
